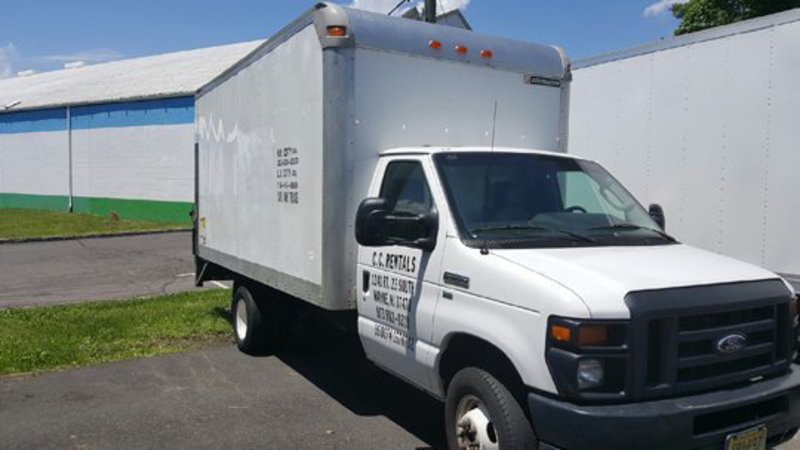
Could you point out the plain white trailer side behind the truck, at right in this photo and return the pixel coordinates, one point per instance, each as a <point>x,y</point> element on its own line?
<point>705,124</point>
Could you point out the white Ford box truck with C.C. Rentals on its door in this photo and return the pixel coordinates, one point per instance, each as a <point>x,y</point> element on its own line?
<point>413,179</point>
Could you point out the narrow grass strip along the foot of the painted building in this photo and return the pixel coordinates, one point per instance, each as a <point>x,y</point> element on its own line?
<point>26,224</point>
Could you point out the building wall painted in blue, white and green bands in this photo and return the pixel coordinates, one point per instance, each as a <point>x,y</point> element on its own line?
<point>135,159</point>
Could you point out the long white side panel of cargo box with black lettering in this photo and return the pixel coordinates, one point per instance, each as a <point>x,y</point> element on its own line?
<point>260,169</point>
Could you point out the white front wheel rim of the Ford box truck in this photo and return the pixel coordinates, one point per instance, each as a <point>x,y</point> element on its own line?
<point>474,427</point>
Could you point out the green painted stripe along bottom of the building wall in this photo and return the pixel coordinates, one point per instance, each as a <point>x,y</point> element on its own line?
<point>152,210</point>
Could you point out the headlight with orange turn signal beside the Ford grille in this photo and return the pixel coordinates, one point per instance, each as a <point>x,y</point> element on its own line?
<point>588,359</point>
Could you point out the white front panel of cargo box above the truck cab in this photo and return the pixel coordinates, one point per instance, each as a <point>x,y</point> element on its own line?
<point>406,100</point>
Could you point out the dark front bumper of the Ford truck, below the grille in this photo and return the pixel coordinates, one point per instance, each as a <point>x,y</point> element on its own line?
<point>693,422</point>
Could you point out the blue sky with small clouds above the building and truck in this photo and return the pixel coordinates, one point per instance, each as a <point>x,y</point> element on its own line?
<point>45,34</point>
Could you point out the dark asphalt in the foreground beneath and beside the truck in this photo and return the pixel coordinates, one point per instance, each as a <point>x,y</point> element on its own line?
<point>325,397</point>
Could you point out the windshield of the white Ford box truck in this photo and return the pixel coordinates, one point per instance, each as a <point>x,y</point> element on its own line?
<point>518,200</point>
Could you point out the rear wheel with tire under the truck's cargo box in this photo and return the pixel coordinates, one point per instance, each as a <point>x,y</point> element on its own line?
<point>252,330</point>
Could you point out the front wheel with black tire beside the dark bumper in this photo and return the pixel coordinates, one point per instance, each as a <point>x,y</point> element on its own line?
<point>480,410</point>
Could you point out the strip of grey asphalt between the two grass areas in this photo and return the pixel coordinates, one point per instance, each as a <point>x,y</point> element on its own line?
<point>43,273</point>
